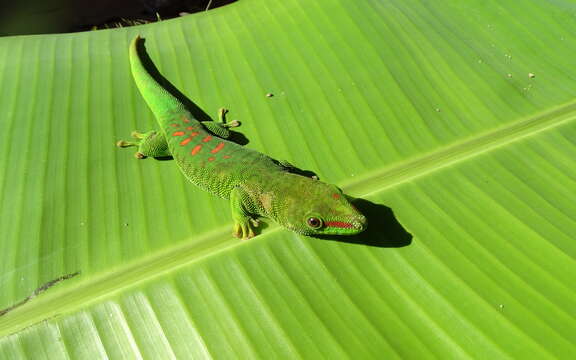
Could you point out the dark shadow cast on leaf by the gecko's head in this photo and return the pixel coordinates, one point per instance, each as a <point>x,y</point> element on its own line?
<point>383,228</point>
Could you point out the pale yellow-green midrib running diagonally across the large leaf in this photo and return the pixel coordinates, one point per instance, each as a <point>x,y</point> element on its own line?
<point>98,287</point>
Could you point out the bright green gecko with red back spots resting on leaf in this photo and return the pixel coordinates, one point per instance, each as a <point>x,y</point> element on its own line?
<point>255,184</point>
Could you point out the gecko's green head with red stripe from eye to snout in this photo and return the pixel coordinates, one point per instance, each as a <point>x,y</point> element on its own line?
<point>317,208</point>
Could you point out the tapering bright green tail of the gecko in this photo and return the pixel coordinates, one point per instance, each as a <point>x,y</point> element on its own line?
<point>163,104</point>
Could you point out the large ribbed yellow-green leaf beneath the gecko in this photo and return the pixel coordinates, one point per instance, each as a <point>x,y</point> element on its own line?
<point>459,116</point>
